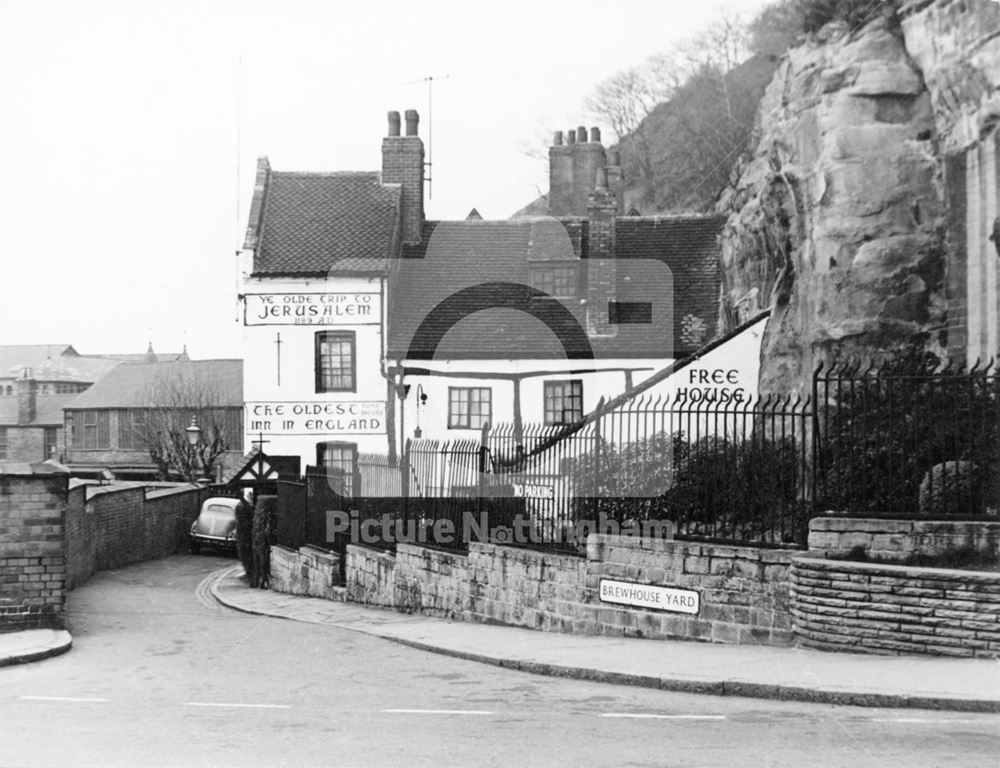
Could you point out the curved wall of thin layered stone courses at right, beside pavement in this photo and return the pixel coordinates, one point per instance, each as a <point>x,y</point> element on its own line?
<point>889,609</point>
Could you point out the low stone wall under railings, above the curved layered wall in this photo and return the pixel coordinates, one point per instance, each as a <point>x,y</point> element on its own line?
<point>897,539</point>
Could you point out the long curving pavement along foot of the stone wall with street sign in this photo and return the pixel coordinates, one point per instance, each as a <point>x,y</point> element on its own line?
<point>768,672</point>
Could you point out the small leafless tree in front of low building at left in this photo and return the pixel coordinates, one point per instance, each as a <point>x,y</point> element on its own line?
<point>162,427</point>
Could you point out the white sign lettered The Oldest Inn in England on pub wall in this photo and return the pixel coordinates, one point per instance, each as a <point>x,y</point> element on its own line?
<point>366,417</point>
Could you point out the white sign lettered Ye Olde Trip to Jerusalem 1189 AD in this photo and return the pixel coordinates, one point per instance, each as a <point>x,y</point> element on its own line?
<point>311,308</point>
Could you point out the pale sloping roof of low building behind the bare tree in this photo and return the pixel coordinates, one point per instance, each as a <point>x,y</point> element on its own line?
<point>140,385</point>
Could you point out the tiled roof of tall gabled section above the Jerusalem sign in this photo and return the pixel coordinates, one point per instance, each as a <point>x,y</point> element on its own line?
<point>321,223</point>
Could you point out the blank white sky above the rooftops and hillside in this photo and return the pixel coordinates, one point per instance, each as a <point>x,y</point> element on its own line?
<point>130,132</point>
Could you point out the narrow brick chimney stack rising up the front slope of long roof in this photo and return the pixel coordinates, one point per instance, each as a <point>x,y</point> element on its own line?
<point>601,270</point>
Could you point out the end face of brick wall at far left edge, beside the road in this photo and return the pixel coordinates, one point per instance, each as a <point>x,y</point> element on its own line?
<point>32,551</point>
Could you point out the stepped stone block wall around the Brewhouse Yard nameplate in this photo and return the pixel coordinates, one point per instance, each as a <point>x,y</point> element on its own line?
<point>743,592</point>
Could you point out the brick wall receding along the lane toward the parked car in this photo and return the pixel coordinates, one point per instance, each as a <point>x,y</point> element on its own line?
<point>110,528</point>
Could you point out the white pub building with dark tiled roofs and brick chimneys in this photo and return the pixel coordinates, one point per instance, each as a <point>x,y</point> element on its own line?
<point>366,325</point>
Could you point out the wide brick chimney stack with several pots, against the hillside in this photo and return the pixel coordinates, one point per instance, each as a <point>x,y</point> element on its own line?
<point>572,169</point>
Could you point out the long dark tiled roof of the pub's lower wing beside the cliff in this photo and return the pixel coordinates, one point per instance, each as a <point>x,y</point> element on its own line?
<point>669,262</point>
